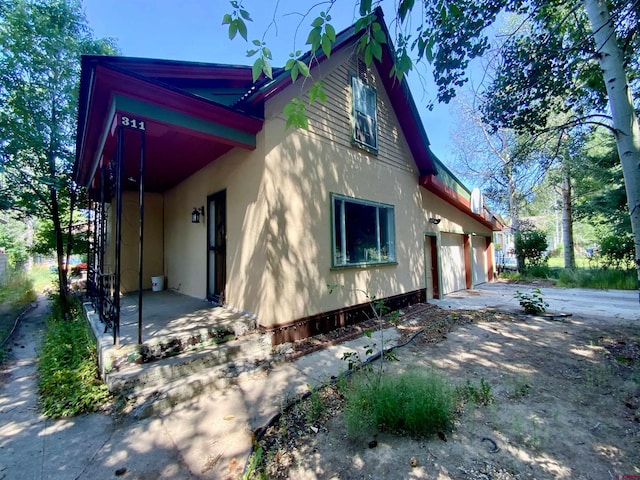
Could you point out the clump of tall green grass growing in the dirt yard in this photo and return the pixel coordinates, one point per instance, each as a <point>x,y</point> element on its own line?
<point>415,402</point>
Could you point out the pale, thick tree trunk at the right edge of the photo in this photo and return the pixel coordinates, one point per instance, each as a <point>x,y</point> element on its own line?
<point>625,122</point>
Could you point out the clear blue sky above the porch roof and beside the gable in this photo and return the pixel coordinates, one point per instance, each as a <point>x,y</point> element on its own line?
<point>192,30</point>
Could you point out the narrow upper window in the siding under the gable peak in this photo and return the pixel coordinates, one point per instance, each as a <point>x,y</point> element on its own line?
<point>364,121</point>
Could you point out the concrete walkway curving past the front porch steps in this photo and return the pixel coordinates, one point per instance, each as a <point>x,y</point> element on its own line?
<point>208,437</point>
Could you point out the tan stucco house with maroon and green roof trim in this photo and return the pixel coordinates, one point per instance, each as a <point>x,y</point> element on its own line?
<point>357,200</point>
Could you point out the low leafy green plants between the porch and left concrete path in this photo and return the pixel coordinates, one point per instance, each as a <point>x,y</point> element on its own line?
<point>69,382</point>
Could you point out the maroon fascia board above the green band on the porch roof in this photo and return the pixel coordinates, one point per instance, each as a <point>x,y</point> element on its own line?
<point>121,83</point>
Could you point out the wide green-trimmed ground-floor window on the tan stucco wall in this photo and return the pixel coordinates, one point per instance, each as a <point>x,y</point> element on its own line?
<point>363,232</point>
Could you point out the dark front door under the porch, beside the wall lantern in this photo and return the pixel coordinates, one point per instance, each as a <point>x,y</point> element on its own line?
<point>217,246</point>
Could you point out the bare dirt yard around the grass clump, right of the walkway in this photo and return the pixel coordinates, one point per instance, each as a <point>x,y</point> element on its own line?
<point>566,405</point>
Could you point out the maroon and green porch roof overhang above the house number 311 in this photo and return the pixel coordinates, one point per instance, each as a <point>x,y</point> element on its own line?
<point>183,132</point>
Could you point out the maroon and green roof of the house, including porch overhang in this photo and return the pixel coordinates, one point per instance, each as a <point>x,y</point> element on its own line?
<point>203,110</point>
